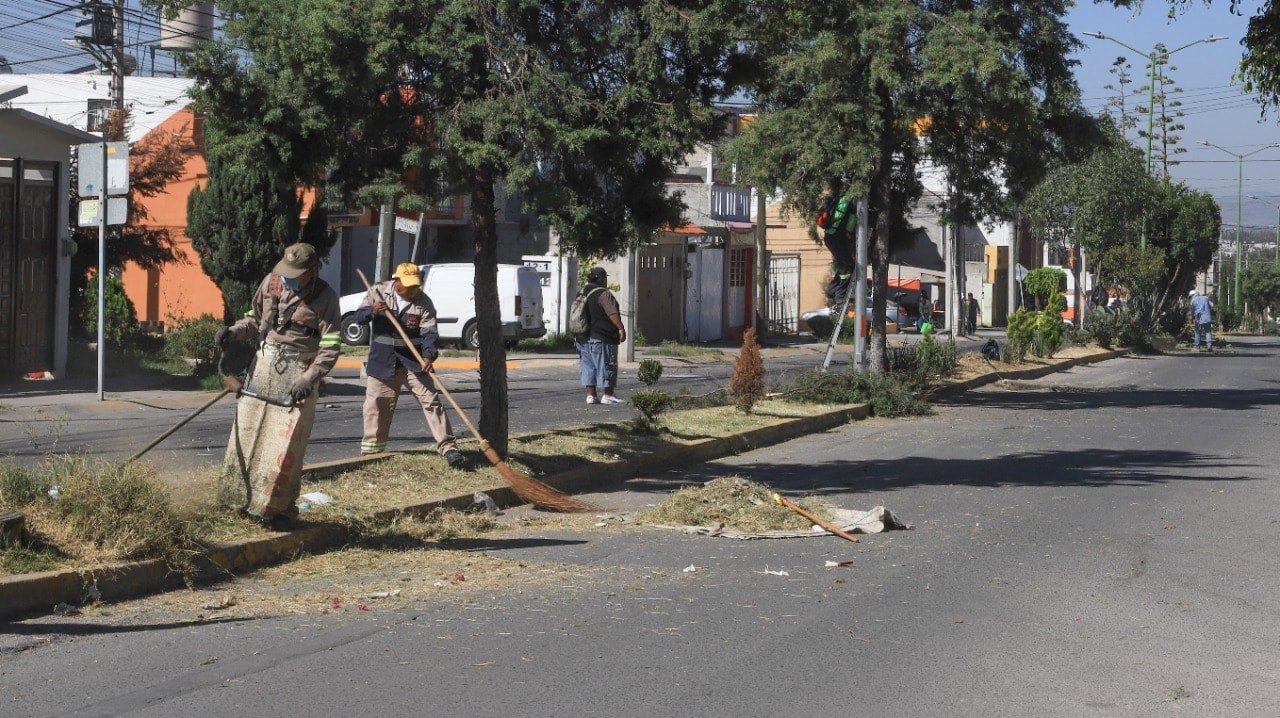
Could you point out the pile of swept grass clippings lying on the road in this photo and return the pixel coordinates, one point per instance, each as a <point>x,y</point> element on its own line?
<point>735,502</point>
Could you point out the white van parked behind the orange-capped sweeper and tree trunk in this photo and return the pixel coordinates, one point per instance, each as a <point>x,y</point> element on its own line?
<point>452,290</point>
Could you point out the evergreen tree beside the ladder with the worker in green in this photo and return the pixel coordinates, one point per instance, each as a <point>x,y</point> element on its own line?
<point>856,95</point>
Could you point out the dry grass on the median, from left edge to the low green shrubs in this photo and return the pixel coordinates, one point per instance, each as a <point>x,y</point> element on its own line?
<point>83,514</point>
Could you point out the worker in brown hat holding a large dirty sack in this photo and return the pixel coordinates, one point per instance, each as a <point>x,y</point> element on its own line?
<point>295,319</point>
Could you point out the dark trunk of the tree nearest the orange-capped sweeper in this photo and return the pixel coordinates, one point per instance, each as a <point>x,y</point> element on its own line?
<point>493,354</point>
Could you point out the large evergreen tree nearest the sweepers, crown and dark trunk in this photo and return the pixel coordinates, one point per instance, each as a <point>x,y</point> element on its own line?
<point>583,109</point>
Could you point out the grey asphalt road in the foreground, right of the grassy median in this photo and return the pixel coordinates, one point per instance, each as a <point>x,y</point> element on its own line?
<point>1096,543</point>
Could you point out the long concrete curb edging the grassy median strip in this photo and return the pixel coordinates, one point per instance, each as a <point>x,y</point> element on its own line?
<point>43,592</point>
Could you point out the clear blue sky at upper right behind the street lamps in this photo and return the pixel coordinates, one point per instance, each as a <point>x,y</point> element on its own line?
<point>1215,108</point>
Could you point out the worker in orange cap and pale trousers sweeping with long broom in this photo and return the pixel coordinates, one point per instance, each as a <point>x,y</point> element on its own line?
<point>392,365</point>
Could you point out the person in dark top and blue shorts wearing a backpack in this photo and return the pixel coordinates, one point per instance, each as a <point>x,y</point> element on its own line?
<point>598,349</point>
